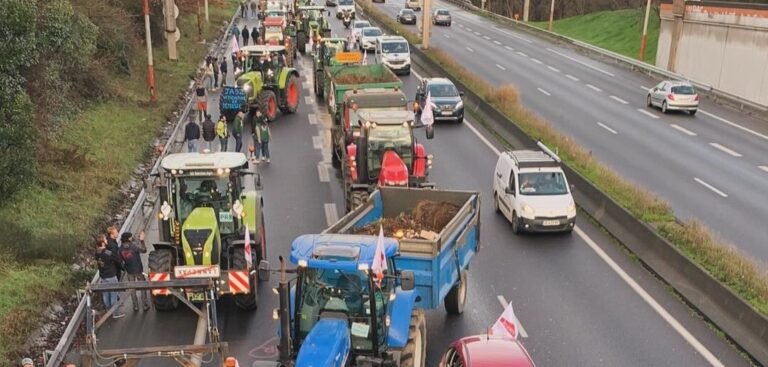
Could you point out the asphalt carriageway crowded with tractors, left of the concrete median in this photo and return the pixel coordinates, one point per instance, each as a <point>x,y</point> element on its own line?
<point>581,300</point>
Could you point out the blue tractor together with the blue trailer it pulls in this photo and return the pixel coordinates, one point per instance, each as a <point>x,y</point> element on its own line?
<point>337,315</point>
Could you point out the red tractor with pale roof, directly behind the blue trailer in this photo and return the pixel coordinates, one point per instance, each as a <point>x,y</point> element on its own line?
<point>383,152</point>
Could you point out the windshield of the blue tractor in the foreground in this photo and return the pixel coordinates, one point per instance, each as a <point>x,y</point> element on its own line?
<point>333,290</point>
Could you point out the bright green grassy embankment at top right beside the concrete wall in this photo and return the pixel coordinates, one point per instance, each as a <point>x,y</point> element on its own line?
<point>619,31</point>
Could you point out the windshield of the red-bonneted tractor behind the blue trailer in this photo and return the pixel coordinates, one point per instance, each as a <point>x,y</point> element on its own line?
<point>388,137</point>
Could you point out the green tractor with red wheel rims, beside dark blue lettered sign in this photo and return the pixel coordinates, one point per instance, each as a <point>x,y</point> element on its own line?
<point>269,82</point>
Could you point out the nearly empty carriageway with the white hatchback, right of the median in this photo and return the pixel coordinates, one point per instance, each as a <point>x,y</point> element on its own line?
<point>712,166</point>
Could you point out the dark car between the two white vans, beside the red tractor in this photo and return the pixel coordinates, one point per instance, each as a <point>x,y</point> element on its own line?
<point>447,101</point>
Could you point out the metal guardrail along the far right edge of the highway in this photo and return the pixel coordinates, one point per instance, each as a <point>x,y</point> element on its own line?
<point>651,70</point>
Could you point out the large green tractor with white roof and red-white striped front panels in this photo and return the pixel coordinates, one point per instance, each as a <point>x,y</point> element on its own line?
<point>208,206</point>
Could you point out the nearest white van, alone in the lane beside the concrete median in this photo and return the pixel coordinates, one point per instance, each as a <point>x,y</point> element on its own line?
<point>531,191</point>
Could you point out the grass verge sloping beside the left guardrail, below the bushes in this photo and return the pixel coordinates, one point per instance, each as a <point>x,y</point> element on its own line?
<point>105,142</point>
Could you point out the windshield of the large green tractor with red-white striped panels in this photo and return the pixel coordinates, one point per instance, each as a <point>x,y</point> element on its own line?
<point>205,191</point>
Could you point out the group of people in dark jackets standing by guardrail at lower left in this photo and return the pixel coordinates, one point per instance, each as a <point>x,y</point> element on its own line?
<point>121,261</point>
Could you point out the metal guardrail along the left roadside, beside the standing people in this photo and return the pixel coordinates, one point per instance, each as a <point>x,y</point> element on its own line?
<point>58,354</point>
